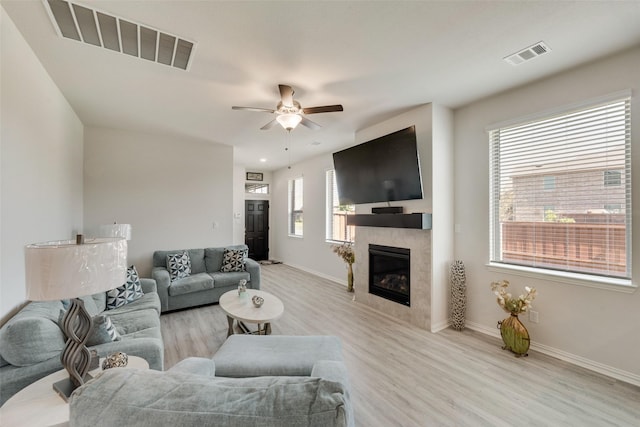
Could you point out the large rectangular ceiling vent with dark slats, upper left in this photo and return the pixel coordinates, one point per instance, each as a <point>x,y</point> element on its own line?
<point>90,26</point>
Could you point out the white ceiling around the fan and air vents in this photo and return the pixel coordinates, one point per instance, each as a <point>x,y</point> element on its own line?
<point>375,58</point>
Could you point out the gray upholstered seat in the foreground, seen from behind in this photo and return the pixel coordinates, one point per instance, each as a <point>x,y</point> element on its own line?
<point>288,381</point>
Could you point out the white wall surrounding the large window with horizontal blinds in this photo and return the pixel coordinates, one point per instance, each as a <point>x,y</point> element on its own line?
<point>594,327</point>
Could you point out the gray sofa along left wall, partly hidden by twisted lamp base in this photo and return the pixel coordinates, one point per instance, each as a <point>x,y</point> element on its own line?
<point>32,340</point>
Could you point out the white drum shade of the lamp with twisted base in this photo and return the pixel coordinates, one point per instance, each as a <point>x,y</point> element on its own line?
<point>63,269</point>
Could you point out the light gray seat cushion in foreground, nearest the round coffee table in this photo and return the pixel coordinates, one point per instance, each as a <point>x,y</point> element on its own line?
<point>259,355</point>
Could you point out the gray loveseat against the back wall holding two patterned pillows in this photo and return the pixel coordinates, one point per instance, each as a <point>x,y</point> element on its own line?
<point>206,282</point>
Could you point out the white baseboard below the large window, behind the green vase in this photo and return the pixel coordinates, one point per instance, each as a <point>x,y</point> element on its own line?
<point>600,368</point>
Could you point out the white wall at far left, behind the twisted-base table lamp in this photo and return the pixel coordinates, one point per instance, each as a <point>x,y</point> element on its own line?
<point>41,162</point>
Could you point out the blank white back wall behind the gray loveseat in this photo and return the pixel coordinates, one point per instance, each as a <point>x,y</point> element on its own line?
<point>172,190</point>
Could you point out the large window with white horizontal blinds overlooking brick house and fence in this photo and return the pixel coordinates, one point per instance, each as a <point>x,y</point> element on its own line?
<point>561,191</point>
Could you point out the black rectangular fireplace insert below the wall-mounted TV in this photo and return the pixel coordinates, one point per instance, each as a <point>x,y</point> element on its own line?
<point>389,276</point>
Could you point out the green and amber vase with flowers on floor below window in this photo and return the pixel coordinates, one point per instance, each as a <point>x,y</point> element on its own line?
<point>513,332</point>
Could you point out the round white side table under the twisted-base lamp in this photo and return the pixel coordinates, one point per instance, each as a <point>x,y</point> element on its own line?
<point>38,404</point>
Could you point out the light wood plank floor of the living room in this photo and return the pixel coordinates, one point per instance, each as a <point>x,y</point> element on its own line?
<point>405,376</point>
